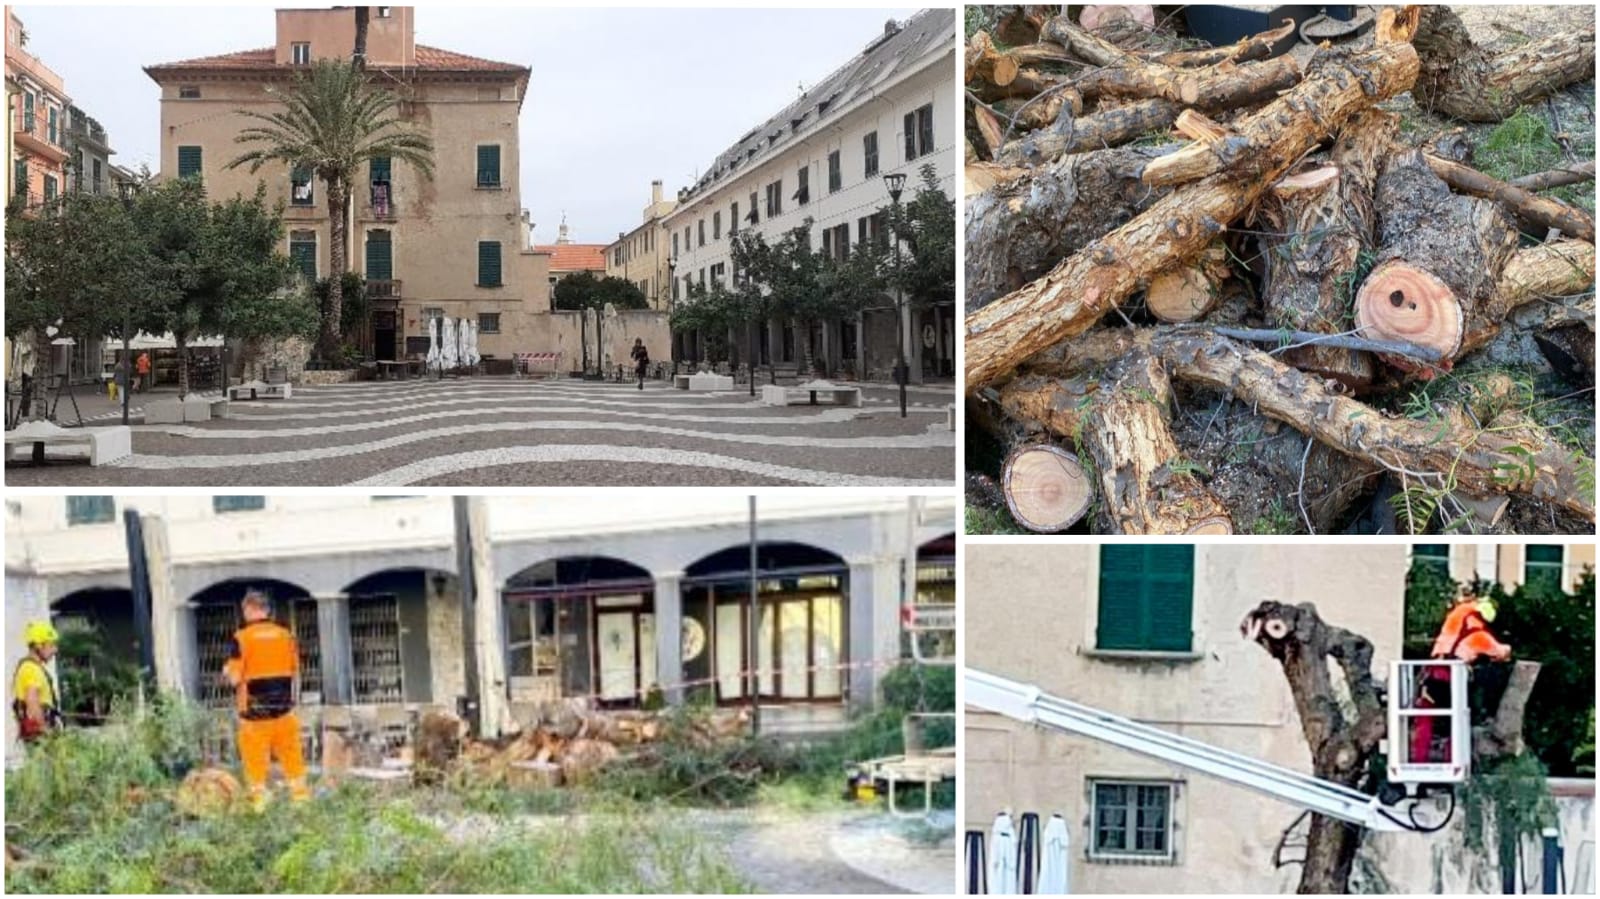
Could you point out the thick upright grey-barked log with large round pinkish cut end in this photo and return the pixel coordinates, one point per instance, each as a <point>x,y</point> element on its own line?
<point>1439,260</point>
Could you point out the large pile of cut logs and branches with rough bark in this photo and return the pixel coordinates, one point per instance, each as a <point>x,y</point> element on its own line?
<point>1281,242</point>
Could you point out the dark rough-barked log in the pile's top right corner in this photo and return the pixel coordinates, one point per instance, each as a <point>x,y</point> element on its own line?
<point>1463,81</point>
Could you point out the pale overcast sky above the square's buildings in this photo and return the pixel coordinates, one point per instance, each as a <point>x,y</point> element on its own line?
<point>618,97</point>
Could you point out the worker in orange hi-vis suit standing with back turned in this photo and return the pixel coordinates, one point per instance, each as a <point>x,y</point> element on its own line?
<point>263,669</point>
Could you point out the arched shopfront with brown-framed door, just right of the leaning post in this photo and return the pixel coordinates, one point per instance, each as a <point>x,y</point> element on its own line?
<point>582,628</point>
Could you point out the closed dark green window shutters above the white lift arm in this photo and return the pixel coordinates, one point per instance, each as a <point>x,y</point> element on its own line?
<point>1146,599</point>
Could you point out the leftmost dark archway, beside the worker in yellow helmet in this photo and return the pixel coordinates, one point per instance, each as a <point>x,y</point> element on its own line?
<point>98,661</point>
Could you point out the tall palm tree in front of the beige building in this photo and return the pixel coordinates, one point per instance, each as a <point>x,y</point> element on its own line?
<point>334,121</point>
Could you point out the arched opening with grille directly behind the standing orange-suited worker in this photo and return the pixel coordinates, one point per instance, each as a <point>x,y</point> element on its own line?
<point>217,617</point>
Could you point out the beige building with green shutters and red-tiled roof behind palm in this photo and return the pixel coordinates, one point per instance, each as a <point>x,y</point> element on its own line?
<point>452,246</point>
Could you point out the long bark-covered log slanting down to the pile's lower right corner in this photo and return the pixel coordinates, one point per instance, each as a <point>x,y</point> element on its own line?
<point>1439,453</point>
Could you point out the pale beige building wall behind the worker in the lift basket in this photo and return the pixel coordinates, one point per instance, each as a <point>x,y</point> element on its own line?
<point>1044,615</point>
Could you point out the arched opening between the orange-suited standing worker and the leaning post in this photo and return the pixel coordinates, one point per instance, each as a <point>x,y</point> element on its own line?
<point>406,637</point>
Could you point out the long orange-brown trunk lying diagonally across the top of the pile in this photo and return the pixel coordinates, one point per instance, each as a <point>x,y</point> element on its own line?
<point>1087,286</point>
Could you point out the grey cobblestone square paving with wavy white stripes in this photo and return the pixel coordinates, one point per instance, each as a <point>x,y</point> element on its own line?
<point>513,433</point>
